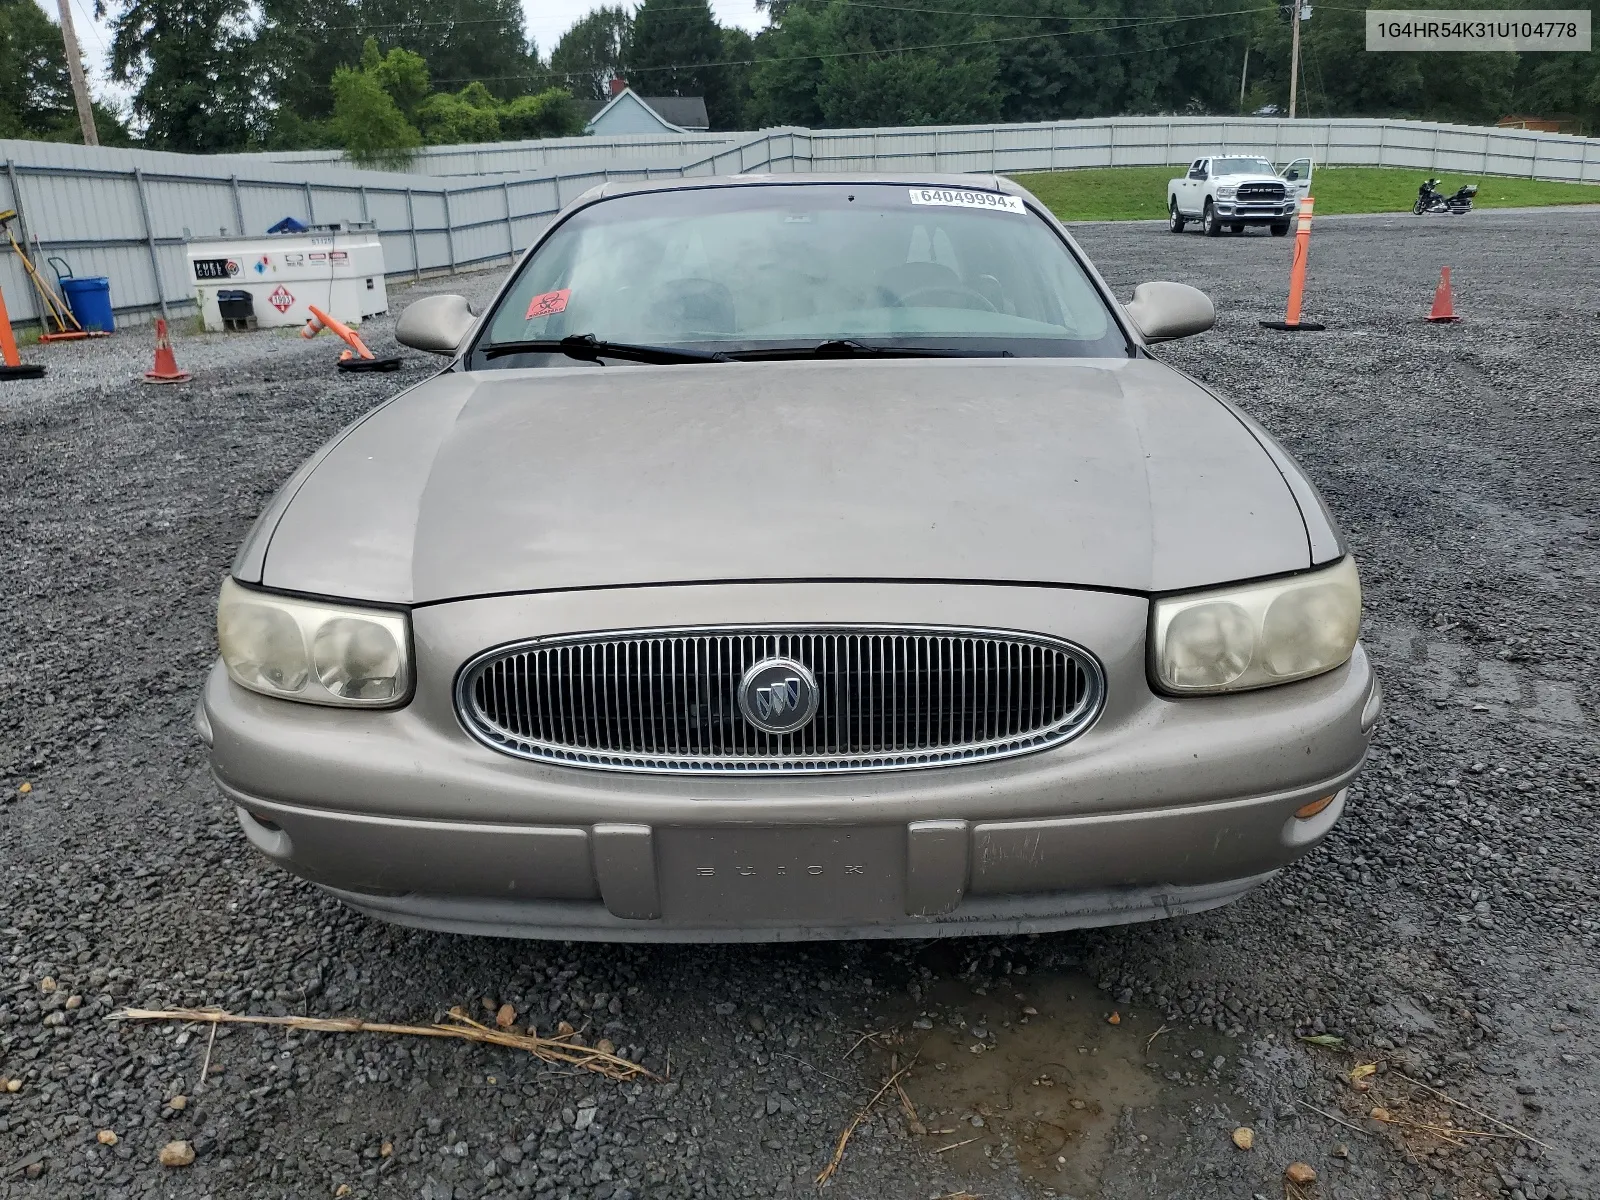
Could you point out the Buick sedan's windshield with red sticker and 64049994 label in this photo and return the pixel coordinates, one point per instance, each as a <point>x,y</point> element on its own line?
<point>794,266</point>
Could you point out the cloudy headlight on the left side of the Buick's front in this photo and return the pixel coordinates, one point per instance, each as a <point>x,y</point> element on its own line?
<point>313,654</point>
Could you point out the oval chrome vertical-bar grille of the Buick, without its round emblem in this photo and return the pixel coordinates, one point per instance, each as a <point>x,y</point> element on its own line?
<point>666,700</point>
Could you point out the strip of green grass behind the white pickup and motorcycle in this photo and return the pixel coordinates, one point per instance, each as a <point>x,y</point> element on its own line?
<point>1134,193</point>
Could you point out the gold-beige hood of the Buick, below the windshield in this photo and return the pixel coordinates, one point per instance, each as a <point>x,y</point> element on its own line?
<point>1119,474</point>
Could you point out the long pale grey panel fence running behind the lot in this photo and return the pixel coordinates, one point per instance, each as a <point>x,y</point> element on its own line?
<point>129,214</point>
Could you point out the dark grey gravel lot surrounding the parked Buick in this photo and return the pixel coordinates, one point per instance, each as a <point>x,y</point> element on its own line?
<point>1446,932</point>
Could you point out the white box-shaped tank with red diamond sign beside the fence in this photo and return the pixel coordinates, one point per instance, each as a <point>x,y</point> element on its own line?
<point>270,281</point>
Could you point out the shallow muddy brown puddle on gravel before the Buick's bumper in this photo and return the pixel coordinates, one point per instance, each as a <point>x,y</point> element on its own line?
<point>1033,1071</point>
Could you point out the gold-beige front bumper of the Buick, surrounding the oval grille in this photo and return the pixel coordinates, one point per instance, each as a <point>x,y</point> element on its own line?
<point>1162,807</point>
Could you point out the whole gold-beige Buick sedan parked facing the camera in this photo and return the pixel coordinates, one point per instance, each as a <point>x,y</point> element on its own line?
<point>788,558</point>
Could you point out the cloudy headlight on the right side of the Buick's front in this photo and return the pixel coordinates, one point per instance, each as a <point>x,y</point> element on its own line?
<point>1260,634</point>
